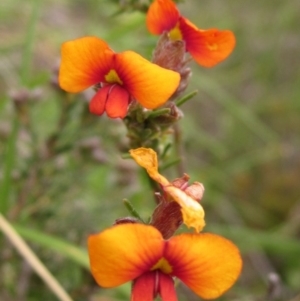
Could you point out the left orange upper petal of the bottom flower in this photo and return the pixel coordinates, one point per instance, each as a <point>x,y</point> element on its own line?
<point>124,252</point>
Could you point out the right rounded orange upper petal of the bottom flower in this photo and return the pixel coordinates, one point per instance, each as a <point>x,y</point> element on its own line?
<point>207,263</point>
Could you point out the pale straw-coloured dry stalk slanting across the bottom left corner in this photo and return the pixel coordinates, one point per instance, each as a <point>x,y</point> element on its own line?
<point>33,260</point>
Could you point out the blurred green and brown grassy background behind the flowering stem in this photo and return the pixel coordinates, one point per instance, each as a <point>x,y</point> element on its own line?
<point>62,176</point>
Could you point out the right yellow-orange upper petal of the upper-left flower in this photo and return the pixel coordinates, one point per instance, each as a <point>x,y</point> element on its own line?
<point>150,84</point>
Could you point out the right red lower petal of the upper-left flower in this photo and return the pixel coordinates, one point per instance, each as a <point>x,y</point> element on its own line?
<point>117,102</point>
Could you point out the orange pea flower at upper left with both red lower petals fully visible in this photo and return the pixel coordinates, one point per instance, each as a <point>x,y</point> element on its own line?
<point>123,76</point>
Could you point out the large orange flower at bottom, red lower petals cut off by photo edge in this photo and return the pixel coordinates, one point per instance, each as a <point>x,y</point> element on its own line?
<point>207,263</point>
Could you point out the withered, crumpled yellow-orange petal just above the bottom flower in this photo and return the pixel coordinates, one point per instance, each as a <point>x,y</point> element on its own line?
<point>192,211</point>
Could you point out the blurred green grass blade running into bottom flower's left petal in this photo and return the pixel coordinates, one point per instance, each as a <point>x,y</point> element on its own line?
<point>55,244</point>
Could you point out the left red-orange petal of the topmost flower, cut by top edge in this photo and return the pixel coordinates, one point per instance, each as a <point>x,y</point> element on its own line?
<point>162,16</point>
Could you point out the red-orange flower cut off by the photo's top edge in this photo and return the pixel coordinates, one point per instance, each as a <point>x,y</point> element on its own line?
<point>207,47</point>
